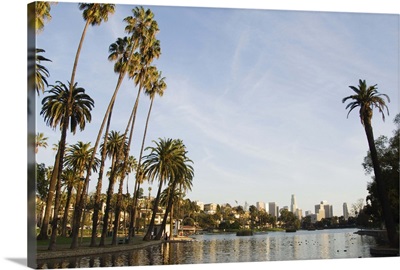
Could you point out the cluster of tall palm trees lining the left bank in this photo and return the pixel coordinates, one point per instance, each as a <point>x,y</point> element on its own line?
<point>68,107</point>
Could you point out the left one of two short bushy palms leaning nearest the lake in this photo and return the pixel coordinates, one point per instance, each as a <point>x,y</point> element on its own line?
<point>163,163</point>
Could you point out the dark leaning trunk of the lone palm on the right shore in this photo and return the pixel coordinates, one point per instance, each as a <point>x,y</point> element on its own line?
<point>382,190</point>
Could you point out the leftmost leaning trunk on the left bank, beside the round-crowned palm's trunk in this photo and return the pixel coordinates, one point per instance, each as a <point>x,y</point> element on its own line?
<point>49,201</point>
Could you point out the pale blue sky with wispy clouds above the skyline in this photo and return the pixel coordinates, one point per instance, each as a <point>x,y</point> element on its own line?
<point>254,94</point>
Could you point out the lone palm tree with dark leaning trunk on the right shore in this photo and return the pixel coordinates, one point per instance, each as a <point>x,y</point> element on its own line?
<point>367,98</point>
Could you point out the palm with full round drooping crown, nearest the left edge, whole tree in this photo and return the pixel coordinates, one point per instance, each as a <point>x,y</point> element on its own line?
<point>59,110</point>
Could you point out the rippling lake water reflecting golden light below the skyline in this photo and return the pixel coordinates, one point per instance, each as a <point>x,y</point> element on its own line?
<point>229,248</point>
